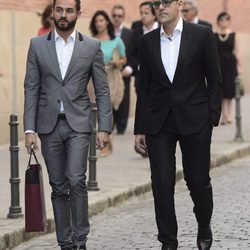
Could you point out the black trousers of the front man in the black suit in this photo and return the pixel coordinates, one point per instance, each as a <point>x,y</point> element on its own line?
<point>196,165</point>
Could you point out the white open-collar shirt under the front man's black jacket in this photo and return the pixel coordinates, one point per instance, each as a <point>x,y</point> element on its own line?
<point>170,48</point>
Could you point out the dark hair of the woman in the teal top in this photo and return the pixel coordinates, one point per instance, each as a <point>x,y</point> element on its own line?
<point>111,29</point>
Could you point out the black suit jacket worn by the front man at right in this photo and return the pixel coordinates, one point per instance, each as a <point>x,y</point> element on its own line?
<point>194,95</point>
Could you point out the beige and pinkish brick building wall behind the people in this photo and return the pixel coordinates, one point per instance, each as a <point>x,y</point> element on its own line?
<point>19,22</point>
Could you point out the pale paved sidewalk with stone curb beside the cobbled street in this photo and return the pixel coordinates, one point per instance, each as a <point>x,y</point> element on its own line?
<point>119,176</point>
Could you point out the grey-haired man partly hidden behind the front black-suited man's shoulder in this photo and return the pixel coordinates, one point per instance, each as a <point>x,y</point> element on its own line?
<point>190,13</point>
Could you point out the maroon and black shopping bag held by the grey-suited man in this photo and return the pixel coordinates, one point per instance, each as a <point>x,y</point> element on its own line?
<point>35,212</point>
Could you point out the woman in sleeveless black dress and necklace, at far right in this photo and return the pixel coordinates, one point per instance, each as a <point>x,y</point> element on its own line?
<point>227,50</point>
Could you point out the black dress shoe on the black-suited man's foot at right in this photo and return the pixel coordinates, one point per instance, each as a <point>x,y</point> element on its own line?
<point>204,238</point>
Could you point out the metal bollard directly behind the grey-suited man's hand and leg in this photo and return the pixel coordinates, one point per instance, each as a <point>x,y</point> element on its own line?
<point>92,183</point>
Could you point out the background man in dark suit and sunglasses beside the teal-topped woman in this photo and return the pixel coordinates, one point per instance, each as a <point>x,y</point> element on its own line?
<point>121,115</point>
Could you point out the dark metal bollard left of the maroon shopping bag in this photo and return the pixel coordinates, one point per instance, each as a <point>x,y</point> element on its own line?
<point>15,211</point>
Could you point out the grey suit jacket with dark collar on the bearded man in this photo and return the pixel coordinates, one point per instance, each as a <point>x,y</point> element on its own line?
<point>45,88</point>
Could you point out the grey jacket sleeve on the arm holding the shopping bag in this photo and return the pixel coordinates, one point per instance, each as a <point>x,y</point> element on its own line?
<point>31,89</point>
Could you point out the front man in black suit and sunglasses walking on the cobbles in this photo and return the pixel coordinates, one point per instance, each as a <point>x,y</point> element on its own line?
<point>179,100</point>
